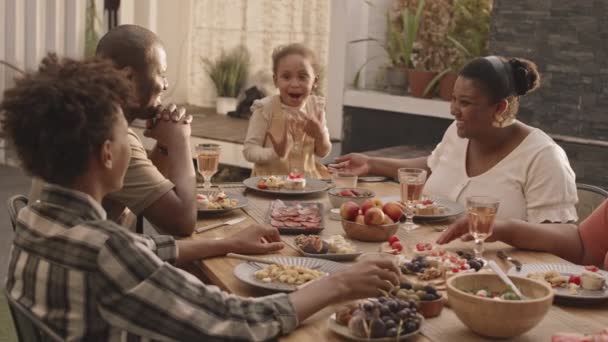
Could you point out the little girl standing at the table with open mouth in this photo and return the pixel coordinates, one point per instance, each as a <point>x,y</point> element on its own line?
<point>288,131</point>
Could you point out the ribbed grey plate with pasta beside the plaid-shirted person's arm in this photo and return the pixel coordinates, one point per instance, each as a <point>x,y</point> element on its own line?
<point>287,275</point>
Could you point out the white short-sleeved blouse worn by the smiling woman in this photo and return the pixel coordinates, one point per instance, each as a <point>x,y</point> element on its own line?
<point>534,182</point>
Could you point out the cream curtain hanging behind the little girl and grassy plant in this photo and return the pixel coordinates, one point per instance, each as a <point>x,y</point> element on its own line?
<point>260,25</point>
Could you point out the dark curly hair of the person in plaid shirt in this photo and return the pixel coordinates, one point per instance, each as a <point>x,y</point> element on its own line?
<point>60,114</point>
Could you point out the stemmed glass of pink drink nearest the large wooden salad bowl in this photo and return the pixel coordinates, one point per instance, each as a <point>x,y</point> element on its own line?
<point>481,211</point>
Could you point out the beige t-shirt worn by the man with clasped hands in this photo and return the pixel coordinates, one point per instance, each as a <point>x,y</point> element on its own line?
<point>142,186</point>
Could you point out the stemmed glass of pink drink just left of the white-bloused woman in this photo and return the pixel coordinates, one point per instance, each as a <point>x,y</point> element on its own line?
<point>411,182</point>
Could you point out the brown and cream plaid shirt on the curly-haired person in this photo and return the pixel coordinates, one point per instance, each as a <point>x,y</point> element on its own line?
<point>89,279</point>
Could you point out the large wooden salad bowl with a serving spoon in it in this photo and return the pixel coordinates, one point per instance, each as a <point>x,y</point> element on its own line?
<point>490,308</point>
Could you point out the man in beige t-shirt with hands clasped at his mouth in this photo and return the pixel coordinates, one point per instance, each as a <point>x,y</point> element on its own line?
<point>167,198</point>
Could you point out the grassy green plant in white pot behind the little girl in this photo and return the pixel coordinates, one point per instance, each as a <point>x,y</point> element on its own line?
<point>228,73</point>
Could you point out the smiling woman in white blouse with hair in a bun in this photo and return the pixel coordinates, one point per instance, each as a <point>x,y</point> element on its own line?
<point>486,151</point>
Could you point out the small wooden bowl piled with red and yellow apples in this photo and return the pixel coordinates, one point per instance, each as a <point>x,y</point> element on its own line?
<point>373,221</point>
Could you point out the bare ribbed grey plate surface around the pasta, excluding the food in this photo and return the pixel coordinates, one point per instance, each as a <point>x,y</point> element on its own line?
<point>245,271</point>
